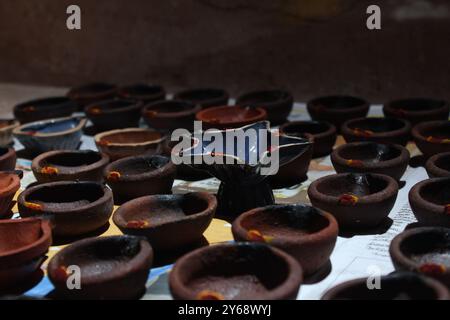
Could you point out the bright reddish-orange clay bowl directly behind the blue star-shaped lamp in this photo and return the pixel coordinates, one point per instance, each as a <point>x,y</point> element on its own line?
<point>226,117</point>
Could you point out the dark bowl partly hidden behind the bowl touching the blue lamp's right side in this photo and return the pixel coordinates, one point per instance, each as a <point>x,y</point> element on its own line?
<point>324,134</point>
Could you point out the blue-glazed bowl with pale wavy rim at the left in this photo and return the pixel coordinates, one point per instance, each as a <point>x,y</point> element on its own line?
<point>53,134</point>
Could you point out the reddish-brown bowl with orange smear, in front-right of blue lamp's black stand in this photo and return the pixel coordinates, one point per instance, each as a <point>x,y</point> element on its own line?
<point>306,233</point>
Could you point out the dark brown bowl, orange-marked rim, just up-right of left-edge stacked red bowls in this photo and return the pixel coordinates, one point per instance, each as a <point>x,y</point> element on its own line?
<point>75,208</point>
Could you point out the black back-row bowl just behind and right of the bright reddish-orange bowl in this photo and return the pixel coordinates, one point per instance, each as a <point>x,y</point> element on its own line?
<point>277,103</point>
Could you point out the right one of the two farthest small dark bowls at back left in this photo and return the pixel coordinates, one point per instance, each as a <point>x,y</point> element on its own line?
<point>142,92</point>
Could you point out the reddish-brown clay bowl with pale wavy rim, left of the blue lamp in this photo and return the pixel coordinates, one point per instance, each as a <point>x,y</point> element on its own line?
<point>122,143</point>
